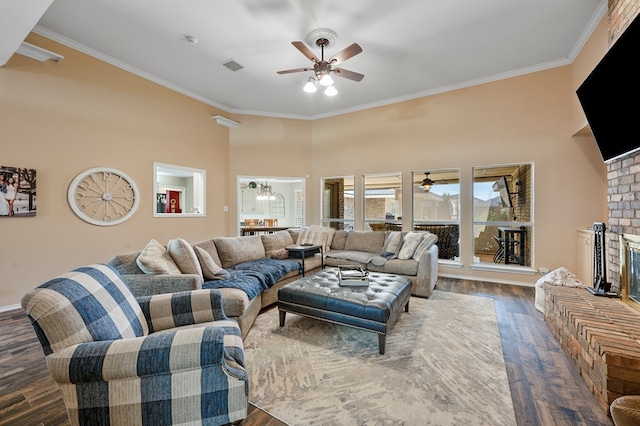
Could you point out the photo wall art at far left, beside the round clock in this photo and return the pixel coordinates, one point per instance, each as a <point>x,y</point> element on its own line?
<point>17,191</point>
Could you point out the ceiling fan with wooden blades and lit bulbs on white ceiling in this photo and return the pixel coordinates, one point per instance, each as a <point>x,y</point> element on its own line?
<point>323,68</point>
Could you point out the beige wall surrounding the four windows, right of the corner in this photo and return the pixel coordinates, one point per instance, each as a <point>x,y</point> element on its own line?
<point>523,119</point>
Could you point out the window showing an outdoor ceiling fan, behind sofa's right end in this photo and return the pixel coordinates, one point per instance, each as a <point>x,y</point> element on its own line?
<point>437,209</point>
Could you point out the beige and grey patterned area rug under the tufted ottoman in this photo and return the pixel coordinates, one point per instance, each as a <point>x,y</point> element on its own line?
<point>443,366</point>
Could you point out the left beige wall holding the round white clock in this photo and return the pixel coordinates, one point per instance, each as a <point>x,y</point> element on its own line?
<point>63,118</point>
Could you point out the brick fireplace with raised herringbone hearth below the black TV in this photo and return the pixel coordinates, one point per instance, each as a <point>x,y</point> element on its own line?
<point>602,335</point>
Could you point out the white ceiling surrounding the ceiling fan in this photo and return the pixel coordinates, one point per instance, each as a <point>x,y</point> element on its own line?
<point>411,48</point>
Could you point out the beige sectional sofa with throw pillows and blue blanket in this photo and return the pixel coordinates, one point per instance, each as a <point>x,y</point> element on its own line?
<point>250,270</point>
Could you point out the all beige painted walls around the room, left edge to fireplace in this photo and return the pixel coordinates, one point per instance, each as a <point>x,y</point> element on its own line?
<point>64,118</point>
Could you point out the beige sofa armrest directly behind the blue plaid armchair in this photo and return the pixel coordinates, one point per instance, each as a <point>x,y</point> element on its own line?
<point>150,284</point>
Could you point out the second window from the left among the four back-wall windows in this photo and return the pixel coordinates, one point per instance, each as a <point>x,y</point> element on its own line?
<point>383,201</point>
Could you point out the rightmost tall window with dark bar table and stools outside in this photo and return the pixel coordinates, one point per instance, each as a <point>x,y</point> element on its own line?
<point>502,214</point>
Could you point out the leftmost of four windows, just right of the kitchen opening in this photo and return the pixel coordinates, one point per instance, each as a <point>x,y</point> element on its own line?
<point>337,202</point>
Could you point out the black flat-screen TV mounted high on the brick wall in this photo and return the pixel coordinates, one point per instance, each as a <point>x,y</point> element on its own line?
<point>610,94</point>
